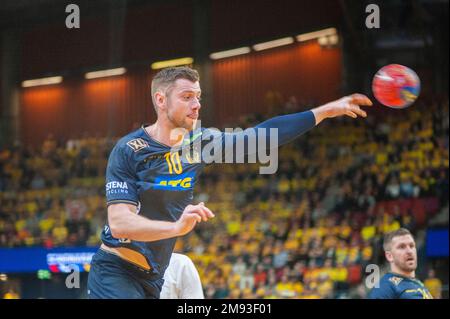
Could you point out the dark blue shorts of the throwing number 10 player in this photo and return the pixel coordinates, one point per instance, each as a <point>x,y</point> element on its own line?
<point>111,277</point>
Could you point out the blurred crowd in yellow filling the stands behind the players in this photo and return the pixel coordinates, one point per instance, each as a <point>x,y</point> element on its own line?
<point>306,232</point>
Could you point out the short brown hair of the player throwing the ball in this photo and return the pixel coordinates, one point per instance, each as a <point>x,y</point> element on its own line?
<point>166,77</point>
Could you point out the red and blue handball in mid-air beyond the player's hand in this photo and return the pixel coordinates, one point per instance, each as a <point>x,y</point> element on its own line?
<point>396,86</point>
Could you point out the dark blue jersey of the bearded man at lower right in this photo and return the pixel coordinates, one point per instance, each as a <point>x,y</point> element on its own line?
<point>394,286</point>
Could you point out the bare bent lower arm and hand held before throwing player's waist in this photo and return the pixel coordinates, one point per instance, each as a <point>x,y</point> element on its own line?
<point>125,223</point>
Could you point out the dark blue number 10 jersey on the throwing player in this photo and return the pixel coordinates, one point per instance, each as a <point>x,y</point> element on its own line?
<point>160,180</point>
